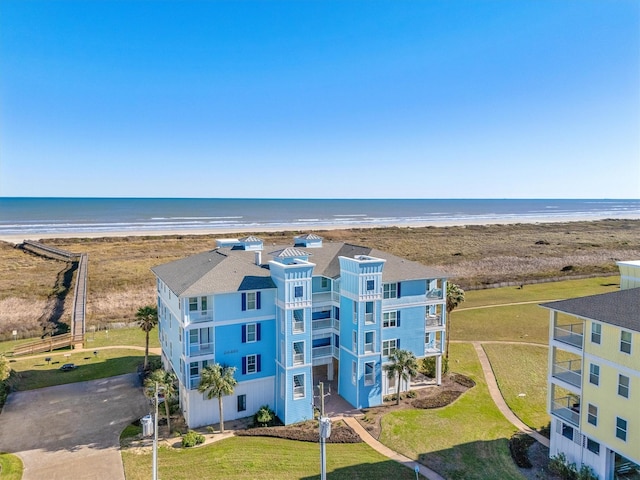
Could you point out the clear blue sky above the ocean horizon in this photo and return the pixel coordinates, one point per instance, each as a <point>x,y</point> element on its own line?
<point>344,99</point>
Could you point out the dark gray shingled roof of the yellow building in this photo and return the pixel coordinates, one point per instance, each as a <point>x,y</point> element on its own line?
<point>620,308</point>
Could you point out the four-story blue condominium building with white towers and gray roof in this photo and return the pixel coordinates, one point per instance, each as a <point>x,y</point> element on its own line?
<point>292,316</point>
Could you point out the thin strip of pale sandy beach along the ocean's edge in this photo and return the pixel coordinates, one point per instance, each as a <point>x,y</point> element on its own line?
<point>19,238</point>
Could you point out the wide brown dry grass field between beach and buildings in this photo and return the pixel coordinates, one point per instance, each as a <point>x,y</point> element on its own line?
<point>120,280</point>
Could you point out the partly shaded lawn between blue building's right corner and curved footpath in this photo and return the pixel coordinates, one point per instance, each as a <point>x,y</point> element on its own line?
<point>465,440</point>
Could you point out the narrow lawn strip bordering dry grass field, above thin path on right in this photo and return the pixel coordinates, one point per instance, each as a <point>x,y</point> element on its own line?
<point>541,292</point>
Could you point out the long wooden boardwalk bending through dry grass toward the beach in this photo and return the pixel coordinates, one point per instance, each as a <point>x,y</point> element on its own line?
<point>78,323</point>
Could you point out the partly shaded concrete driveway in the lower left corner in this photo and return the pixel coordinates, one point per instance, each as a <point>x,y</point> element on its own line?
<point>72,431</point>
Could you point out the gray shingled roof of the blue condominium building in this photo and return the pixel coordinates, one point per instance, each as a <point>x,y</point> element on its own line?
<point>226,270</point>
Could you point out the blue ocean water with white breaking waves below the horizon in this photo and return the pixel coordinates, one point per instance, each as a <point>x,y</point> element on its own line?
<point>31,216</point>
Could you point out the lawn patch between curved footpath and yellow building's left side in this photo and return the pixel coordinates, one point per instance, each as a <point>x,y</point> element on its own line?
<point>522,369</point>
